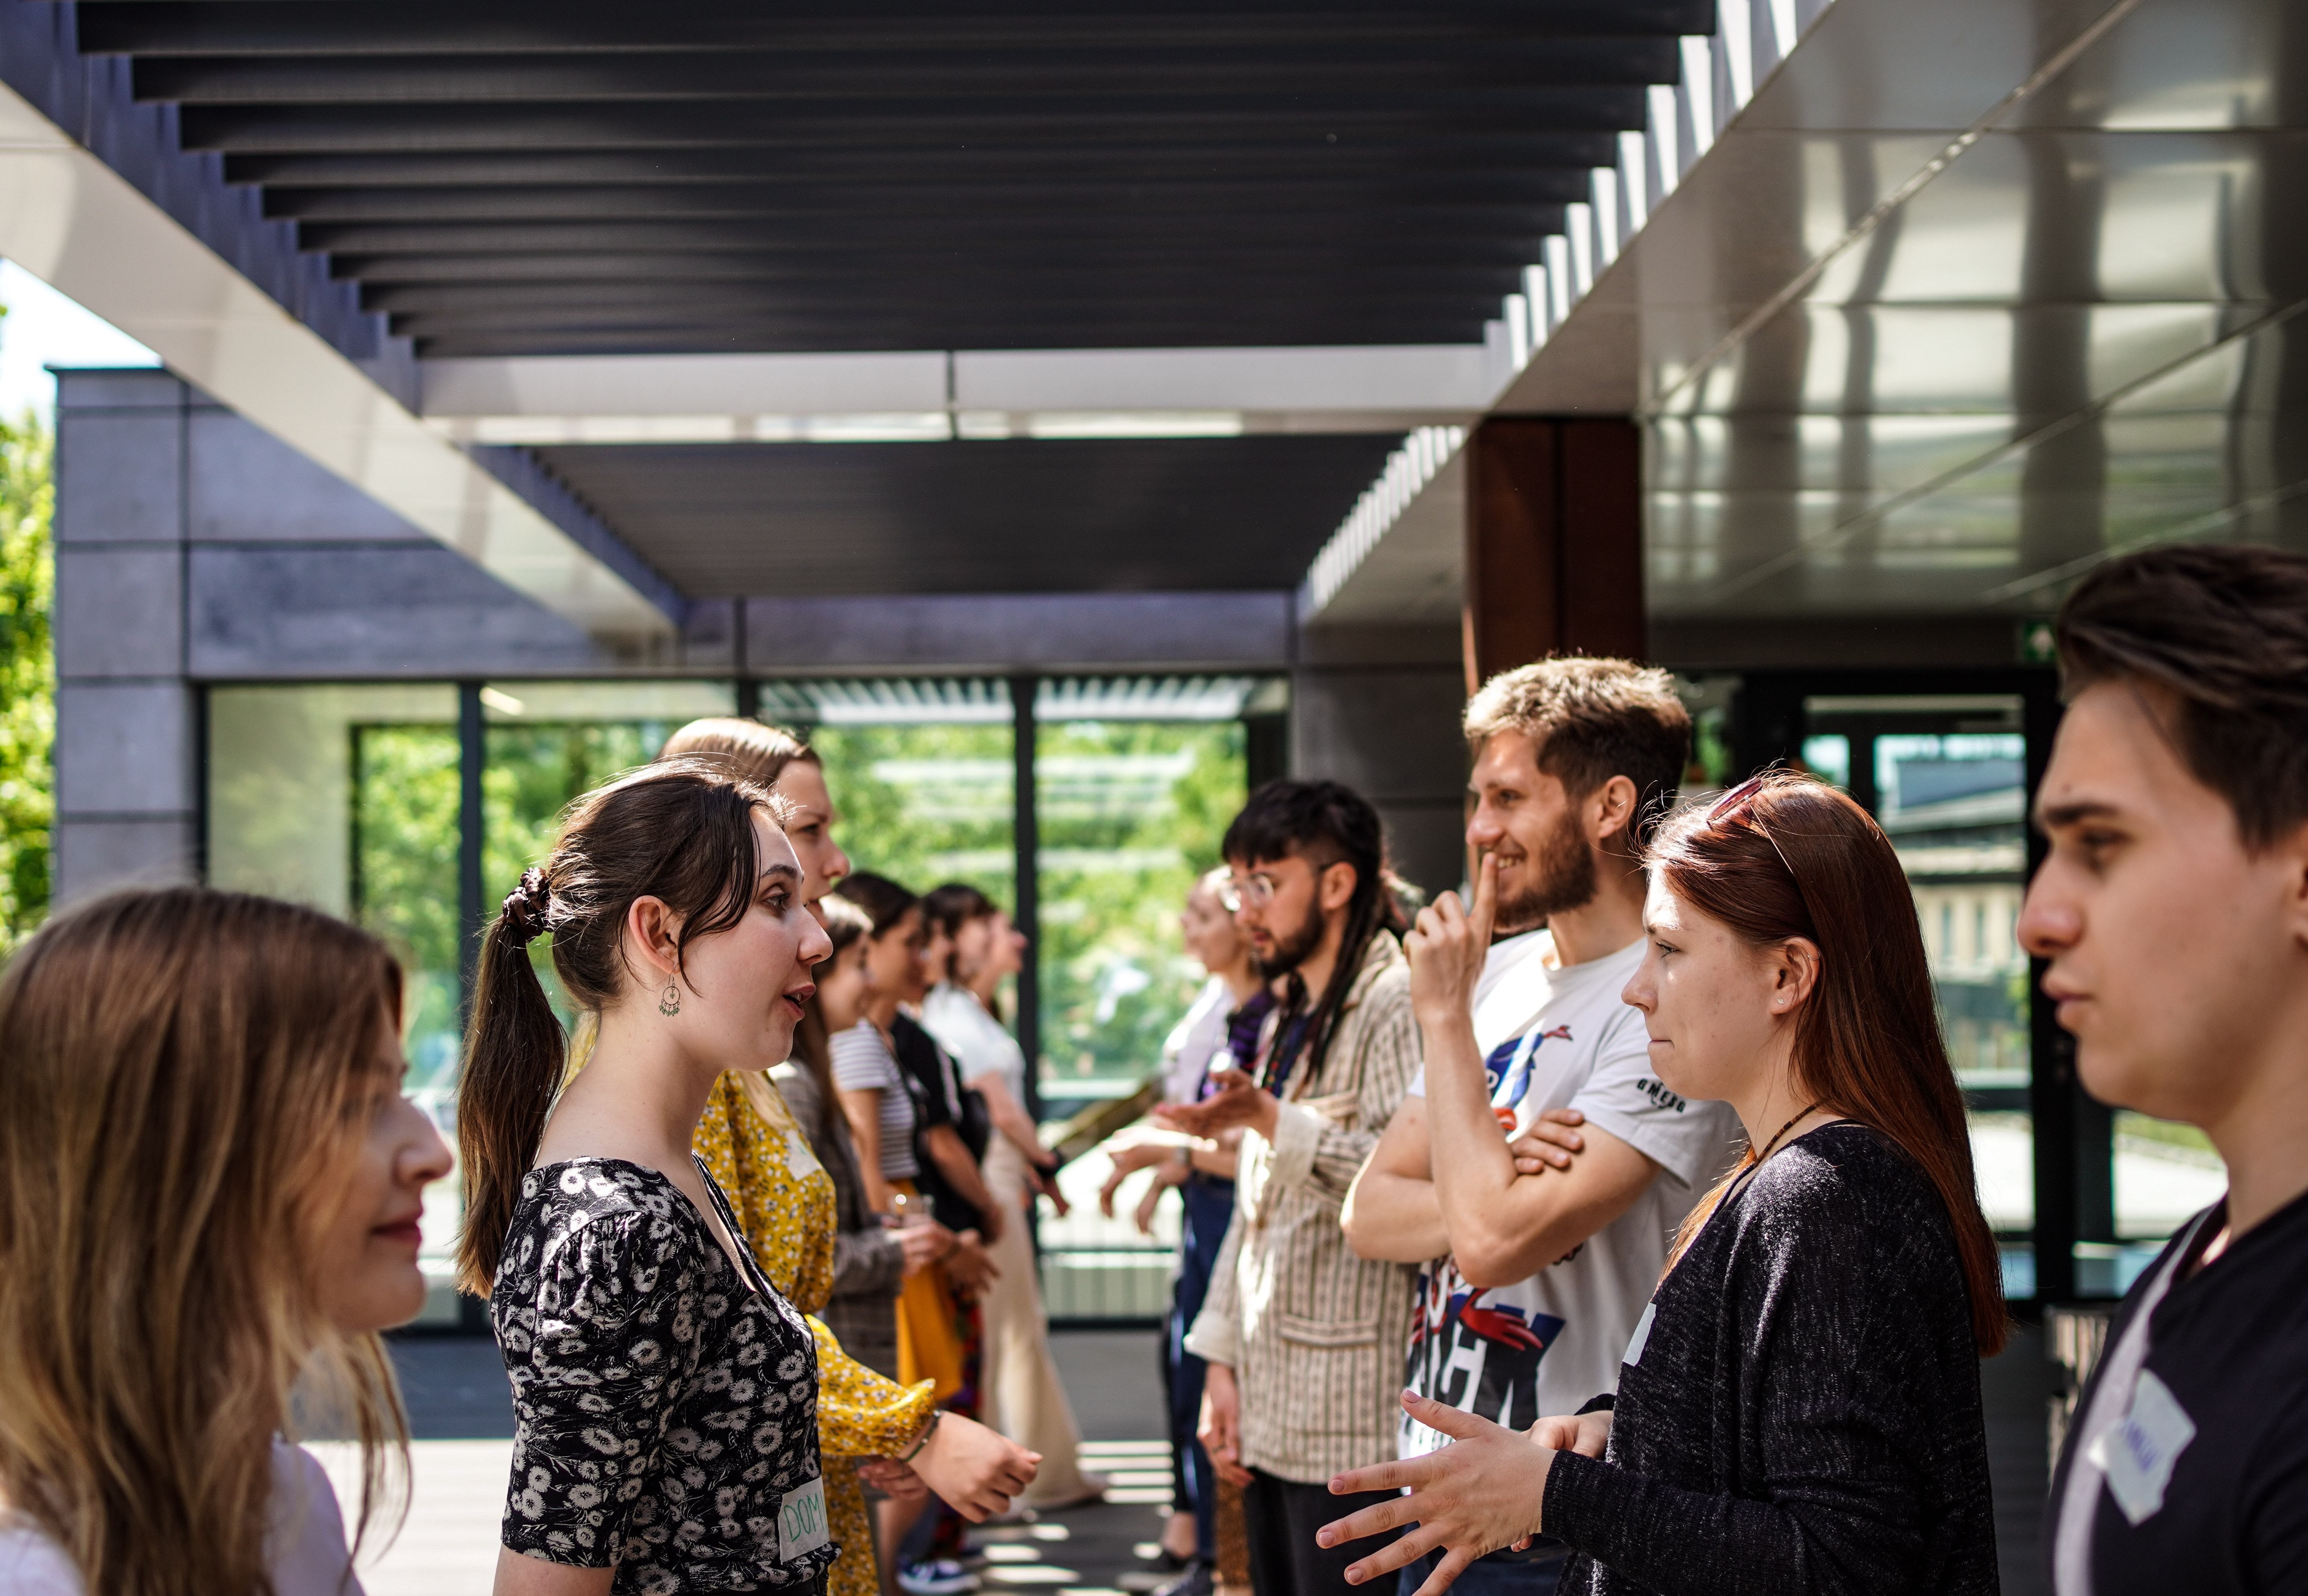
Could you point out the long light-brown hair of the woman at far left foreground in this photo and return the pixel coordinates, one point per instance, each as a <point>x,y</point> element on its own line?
<point>179,1074</point>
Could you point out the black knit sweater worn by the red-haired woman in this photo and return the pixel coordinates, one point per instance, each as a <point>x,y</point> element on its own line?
<point>1806,1410</point>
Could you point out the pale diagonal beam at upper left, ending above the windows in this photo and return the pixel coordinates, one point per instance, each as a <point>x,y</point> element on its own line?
<point>84,229</point>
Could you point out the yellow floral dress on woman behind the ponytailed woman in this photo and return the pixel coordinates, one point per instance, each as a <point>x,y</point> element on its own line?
<point>784,1198</point>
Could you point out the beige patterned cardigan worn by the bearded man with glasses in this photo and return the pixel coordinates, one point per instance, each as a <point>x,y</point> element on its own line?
<point>1312,1332</point>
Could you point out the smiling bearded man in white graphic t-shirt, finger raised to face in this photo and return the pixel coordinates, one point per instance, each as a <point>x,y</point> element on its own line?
<point>1538,1260</point>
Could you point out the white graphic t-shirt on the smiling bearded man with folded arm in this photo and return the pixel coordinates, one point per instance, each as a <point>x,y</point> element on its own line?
<point>1545,1346</point>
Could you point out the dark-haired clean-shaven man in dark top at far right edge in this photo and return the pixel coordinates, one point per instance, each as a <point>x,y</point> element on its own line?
<point>2173,910</point>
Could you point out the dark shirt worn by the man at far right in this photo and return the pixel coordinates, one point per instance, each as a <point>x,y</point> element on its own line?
<point>2231,1346</point>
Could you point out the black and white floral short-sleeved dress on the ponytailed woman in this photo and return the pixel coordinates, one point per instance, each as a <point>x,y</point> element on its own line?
<point>666,1406</point>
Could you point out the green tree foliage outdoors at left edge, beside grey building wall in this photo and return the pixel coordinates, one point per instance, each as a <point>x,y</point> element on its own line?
<point>27,677</point>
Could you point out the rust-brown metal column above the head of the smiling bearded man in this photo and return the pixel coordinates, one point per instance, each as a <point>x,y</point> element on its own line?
<point>1554,543</point>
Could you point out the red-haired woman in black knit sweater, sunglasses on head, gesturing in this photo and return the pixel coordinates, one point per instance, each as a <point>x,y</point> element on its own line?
<point>1801,1403</point>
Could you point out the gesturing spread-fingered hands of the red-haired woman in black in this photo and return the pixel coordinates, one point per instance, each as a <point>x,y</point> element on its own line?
<point>1474,1498</point>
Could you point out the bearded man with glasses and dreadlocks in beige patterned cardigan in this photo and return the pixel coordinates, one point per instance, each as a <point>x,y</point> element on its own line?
<point>1303,1337</point>
